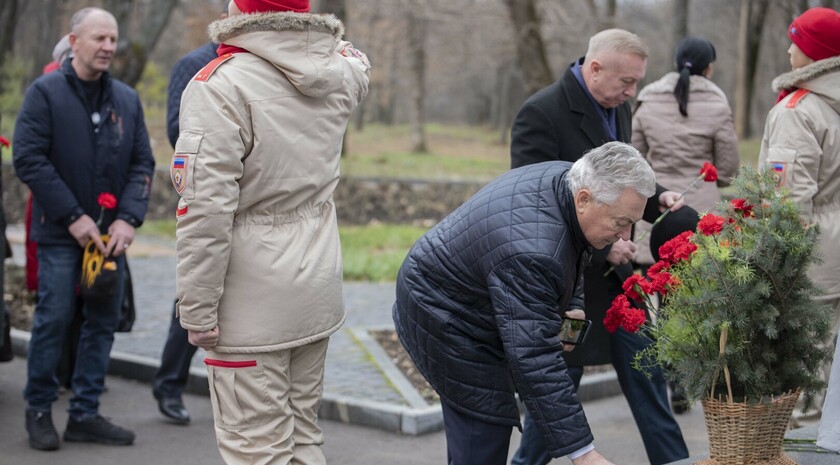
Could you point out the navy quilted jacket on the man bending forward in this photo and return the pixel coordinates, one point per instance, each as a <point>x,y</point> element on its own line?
<point>480,298</point>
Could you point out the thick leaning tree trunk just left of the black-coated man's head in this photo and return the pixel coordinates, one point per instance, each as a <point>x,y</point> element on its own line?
<point>530,49</point>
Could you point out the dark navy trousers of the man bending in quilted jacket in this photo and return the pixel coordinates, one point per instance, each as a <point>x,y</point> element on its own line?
<point>473,442</point>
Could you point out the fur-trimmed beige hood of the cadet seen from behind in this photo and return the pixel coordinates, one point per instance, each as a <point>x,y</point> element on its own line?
<point>301,45</point>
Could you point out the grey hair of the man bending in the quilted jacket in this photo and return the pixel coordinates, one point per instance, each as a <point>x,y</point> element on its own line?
<point>608,170</point>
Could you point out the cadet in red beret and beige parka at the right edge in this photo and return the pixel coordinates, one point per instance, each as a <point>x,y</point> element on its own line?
<point>801,143</point>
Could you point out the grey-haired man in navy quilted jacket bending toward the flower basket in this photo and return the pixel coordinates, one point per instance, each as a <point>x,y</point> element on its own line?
<point>481,296</point>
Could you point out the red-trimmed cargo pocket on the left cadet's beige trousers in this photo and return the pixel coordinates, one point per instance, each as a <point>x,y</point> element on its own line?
<point>240,391</point>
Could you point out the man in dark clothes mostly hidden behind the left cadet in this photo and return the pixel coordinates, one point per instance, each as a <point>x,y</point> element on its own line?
<point>174,371</point>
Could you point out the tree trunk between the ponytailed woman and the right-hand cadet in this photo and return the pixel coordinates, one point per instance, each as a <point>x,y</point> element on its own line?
<point>753,14</point>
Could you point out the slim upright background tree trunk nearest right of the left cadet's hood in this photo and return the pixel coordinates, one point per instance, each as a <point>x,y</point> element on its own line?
<point>417,53</point>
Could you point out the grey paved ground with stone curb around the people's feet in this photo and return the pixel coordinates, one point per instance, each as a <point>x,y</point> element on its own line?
<point>362,388</point>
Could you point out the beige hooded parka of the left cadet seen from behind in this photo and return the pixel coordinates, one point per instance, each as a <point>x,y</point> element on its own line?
<point>256,164</point>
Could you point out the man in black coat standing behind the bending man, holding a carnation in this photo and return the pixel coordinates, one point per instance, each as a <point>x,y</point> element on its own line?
<point>584,109</point>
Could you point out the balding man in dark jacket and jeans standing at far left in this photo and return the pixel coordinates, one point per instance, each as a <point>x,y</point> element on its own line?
<point>79,134</point>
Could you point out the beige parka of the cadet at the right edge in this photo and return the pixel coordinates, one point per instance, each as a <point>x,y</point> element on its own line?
<point>801,144</point>
